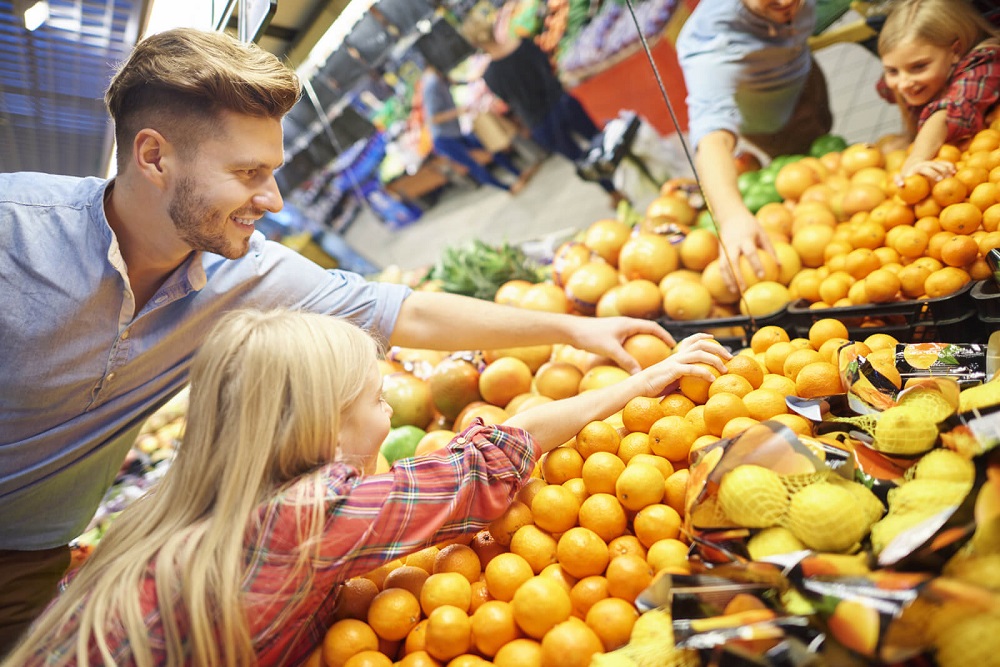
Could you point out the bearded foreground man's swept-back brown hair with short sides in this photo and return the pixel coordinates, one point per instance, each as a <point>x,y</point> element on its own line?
<point>179,81</point>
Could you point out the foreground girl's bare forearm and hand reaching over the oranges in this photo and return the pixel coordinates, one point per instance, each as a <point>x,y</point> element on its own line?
<point>552,424</point>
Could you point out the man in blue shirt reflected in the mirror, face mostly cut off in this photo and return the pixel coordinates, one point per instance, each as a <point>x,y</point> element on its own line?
<point>749,73</point>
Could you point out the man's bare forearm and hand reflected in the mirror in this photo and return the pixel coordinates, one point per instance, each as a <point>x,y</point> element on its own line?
<point>740,234</point>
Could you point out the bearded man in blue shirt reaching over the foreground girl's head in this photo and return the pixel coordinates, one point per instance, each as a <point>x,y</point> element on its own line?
<point>109,287</point>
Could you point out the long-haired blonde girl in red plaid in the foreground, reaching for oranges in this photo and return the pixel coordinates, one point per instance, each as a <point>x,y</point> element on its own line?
<point>236,557</point>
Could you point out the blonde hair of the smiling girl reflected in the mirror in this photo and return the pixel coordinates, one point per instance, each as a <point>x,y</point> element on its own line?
<point>943,23</point>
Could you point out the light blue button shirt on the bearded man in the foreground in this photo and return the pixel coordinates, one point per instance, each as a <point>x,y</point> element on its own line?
<point>80,370</point>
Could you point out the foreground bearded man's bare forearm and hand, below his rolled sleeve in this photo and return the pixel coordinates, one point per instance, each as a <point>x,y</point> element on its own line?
<point>435,320</point>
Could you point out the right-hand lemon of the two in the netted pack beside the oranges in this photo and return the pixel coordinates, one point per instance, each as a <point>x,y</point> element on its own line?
<point>827,517</point>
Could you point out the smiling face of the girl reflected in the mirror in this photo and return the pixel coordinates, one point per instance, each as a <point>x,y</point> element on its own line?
<point>917,71</point>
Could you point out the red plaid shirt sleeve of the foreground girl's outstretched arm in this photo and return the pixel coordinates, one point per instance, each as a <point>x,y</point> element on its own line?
<point>420,501</point>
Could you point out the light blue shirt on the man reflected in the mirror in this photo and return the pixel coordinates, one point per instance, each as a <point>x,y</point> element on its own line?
<point>743,73</point>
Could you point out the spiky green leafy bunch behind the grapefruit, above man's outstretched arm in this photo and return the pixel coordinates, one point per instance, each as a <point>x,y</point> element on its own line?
<point>478,269</point>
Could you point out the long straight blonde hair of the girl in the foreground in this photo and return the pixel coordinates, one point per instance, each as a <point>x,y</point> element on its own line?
<point>268,393</point>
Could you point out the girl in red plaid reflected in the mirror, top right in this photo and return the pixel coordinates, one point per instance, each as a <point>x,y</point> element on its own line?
<point>941,63</point>
